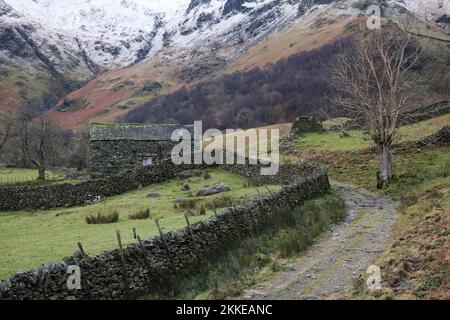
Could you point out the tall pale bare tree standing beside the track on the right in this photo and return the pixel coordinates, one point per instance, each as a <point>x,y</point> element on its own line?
<point>375,84</point>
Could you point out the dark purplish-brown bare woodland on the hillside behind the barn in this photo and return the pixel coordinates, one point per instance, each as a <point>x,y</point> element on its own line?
<point>297,85</point>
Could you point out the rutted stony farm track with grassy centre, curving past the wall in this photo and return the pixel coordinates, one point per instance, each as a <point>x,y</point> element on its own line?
<point>328,269</point>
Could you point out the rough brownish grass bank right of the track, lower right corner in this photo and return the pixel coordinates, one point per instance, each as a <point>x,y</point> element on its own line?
<point>417,264</point>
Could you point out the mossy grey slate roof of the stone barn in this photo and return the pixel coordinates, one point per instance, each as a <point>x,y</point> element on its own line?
<point>134,131</point>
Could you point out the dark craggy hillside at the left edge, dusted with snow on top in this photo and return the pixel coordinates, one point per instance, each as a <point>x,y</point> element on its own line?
<point>36,66</point>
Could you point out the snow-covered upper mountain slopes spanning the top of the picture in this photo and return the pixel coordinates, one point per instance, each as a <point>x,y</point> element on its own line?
<point>117,33</point>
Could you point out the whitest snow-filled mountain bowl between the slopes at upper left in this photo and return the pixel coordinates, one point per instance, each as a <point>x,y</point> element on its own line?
<point>112,32</point>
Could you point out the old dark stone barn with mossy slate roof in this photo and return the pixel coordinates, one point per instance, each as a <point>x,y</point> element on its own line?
<point>122,146</point>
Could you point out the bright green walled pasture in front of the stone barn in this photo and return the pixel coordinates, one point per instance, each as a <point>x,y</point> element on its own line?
<point>28,239</point>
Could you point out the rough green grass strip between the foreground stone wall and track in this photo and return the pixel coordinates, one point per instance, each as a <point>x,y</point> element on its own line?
<point>252,261</point>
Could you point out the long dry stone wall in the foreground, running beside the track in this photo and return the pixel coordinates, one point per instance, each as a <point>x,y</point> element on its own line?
<point>160,262</point>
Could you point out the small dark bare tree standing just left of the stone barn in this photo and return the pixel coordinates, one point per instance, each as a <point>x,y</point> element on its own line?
<point>39,140</point>
